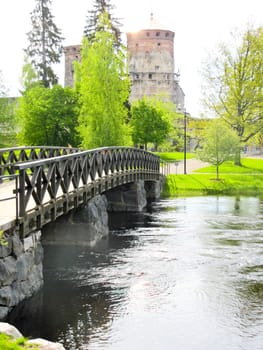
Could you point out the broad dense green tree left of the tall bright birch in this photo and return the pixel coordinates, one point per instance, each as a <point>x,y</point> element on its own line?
<point>48,116</point>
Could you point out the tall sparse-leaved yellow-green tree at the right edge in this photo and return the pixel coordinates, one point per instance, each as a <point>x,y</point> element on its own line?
<point>234,83</point>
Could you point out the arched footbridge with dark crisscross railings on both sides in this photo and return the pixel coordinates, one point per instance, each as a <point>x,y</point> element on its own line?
<point>39,184</point>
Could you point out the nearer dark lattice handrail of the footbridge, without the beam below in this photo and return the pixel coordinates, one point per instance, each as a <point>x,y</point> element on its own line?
<point>46,179</point>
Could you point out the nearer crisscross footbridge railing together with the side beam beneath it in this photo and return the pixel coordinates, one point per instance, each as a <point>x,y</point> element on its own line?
<point>46,187</point>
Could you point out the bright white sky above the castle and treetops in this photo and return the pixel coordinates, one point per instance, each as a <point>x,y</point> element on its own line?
<point>199,26</point>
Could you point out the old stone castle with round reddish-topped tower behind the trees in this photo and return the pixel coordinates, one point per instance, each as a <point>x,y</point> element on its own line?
<point>151,64</point>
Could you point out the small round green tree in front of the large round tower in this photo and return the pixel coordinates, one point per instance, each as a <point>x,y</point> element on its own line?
<point>148,123</point>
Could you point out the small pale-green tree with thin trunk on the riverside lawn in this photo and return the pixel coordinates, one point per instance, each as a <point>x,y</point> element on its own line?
<point>219,145</point>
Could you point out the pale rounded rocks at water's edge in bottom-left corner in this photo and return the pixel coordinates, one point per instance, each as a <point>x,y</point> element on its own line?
<point>39,343</point>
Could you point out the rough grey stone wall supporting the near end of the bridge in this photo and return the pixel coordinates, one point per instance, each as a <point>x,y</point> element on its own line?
<point>20,270</point>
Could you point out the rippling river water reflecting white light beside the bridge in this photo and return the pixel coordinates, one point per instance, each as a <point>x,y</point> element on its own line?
<point>185,275</point>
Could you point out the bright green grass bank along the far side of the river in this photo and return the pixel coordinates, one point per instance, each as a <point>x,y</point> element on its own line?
<point>234,180</point>
